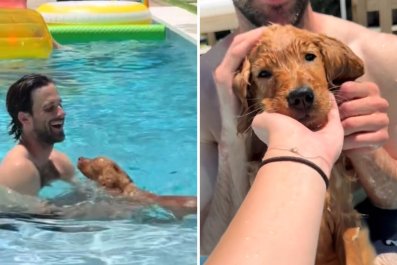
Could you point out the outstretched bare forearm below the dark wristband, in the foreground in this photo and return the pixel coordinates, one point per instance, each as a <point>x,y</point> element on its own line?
<point>261,231</point>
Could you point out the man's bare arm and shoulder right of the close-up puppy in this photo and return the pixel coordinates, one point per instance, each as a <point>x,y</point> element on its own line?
<point>371,143</point>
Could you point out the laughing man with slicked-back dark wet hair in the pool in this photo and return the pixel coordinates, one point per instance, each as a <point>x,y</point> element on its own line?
<point>37,119</point>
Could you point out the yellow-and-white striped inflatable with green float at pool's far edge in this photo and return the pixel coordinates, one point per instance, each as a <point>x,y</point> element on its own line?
<point>84,21</point>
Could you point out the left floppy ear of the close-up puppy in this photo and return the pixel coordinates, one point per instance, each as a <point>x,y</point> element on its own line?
<point>241,82</point>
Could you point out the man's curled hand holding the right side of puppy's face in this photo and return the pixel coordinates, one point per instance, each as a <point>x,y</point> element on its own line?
<point>364,117</point>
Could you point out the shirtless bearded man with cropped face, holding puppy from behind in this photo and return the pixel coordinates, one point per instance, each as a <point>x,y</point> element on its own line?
<point>369,142</point>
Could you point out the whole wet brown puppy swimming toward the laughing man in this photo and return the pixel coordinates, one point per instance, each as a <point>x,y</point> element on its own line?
<point>114,180</point>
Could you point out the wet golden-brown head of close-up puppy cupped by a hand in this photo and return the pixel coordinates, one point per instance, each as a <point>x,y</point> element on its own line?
<point>291,71</point>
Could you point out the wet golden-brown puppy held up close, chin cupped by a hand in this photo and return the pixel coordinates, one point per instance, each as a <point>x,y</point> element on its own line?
<point>291,71</point>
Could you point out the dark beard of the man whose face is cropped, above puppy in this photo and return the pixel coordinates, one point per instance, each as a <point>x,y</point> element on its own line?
<point>261,17</point>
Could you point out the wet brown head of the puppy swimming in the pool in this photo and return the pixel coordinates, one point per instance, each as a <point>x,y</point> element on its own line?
<point>104,172</point>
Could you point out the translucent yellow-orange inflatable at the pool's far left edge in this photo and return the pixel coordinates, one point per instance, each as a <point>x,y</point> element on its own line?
<point>23,34</point>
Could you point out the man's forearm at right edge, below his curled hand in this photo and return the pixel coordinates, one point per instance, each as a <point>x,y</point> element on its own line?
<point>377,173</point>
